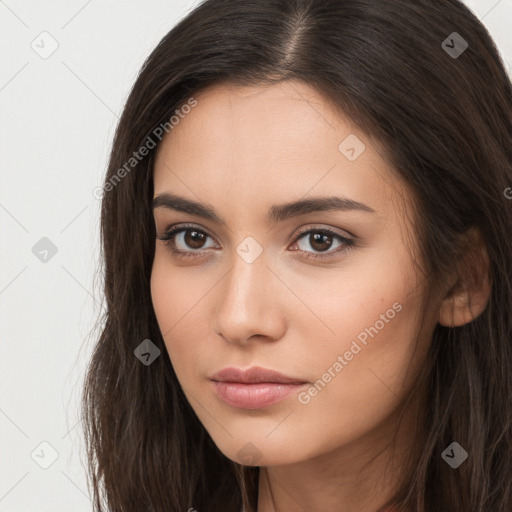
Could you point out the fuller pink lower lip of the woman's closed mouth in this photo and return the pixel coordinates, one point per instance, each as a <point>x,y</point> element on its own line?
<point>254,396</point>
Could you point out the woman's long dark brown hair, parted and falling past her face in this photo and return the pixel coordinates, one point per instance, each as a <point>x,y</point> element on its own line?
<point>445,121</point>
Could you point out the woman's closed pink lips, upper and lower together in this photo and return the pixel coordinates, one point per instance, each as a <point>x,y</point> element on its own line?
<point>253,388</point>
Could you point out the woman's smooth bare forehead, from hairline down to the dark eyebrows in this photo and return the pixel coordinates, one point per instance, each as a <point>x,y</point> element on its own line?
<point>270,144</point>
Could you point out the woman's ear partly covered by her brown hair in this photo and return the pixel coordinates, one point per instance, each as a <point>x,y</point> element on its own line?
<point>468,296</point>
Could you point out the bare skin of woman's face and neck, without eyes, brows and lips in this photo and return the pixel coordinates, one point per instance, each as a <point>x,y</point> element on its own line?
<point>242,150</point>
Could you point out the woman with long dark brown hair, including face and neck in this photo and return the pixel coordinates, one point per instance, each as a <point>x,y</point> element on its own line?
<point>306,235</point>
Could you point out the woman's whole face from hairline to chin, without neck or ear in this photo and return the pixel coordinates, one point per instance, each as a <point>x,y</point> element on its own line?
<point>324,292</point>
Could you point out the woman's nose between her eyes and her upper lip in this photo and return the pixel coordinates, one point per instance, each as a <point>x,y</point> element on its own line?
<point>251,303</point>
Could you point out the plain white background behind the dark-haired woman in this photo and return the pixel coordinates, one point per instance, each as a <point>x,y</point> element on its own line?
<point>57,121</point>
